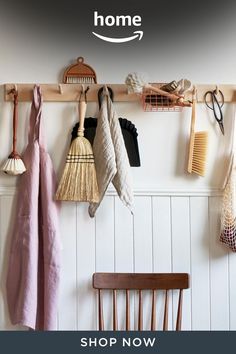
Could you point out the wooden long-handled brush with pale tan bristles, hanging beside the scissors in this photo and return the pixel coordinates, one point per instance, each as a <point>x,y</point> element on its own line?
<point>198,145</point>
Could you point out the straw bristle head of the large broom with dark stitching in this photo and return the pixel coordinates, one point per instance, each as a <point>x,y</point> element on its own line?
<point>79,181</point>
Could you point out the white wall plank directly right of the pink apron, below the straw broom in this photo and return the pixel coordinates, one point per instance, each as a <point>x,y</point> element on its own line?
<point>67,314</point>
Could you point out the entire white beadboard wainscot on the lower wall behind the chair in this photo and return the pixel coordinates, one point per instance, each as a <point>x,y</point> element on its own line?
<point>179,234</point>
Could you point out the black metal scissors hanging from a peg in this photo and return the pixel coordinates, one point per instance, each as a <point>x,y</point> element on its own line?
<point>215,106</point>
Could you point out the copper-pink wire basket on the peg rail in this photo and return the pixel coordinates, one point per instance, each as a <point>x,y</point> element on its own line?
<point>153,102</point>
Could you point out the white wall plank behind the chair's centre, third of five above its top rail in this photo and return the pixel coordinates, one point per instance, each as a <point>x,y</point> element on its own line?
<point>143,248</point>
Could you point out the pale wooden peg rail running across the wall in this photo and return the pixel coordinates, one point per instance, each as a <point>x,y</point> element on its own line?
<point>71,92</point>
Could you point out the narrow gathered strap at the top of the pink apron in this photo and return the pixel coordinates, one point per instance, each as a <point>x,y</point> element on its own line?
<point>35,124</point>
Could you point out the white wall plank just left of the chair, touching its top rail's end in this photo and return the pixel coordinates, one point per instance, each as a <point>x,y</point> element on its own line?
<point>85,268</point>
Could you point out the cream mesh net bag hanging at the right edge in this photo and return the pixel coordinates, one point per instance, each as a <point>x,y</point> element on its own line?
<point>228,213</point>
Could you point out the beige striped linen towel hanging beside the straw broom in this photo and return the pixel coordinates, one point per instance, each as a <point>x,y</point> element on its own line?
<point>111,160</point>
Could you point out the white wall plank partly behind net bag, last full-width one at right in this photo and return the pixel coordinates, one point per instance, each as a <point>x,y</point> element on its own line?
<point>218,271</point>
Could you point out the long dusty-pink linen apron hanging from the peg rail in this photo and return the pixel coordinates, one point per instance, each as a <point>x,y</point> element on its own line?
<point>34,264</point>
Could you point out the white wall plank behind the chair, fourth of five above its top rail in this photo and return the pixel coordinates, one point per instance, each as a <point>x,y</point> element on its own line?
<point>162,260</point>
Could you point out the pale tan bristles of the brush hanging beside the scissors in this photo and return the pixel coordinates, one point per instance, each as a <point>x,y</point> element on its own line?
<point>200,153</point>
